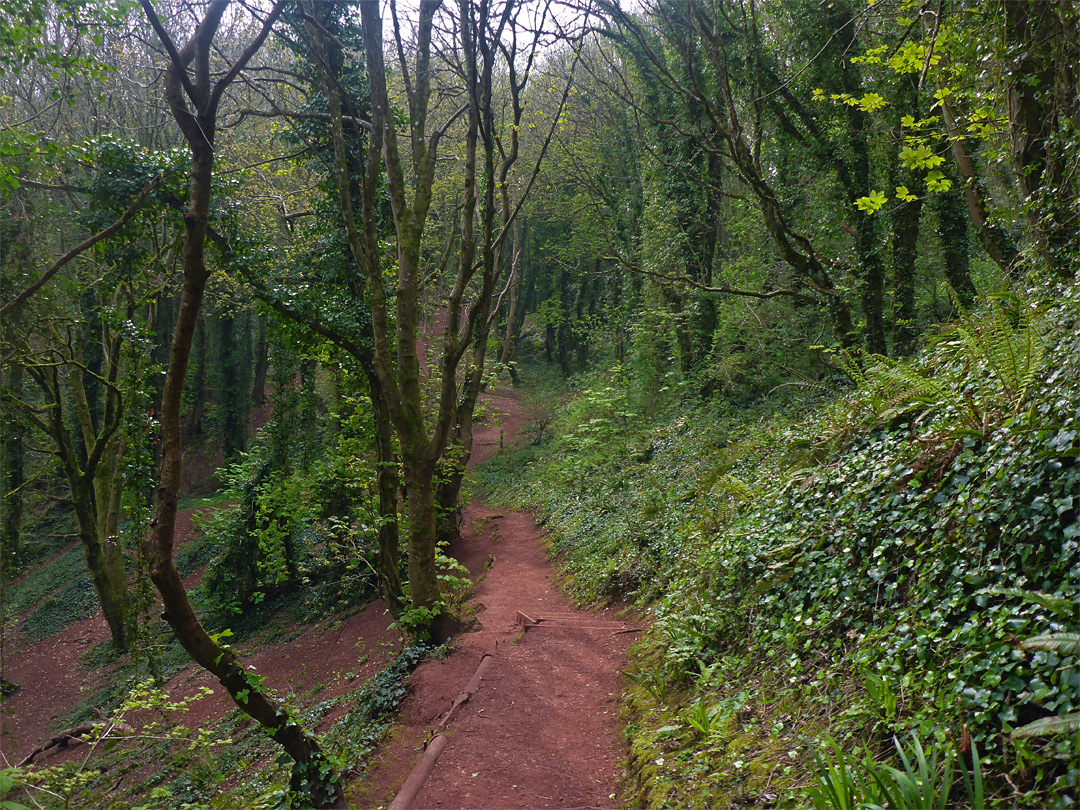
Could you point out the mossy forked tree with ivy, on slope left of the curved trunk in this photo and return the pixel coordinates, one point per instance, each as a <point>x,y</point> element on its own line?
<point>77,364</point>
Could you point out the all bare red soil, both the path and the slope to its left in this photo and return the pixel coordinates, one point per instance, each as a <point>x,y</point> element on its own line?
<point>541,732</point>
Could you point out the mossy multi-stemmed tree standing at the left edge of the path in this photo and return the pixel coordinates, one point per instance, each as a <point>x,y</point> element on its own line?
<point>481,37</point>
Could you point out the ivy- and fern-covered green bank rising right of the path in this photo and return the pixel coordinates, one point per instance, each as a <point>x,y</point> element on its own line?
<point>857,565</point>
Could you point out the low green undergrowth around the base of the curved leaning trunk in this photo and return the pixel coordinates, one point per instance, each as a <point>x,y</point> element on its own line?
<point>198,767</point>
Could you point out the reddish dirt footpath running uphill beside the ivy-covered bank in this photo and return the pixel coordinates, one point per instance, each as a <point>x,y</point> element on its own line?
<point>541,728</point>
